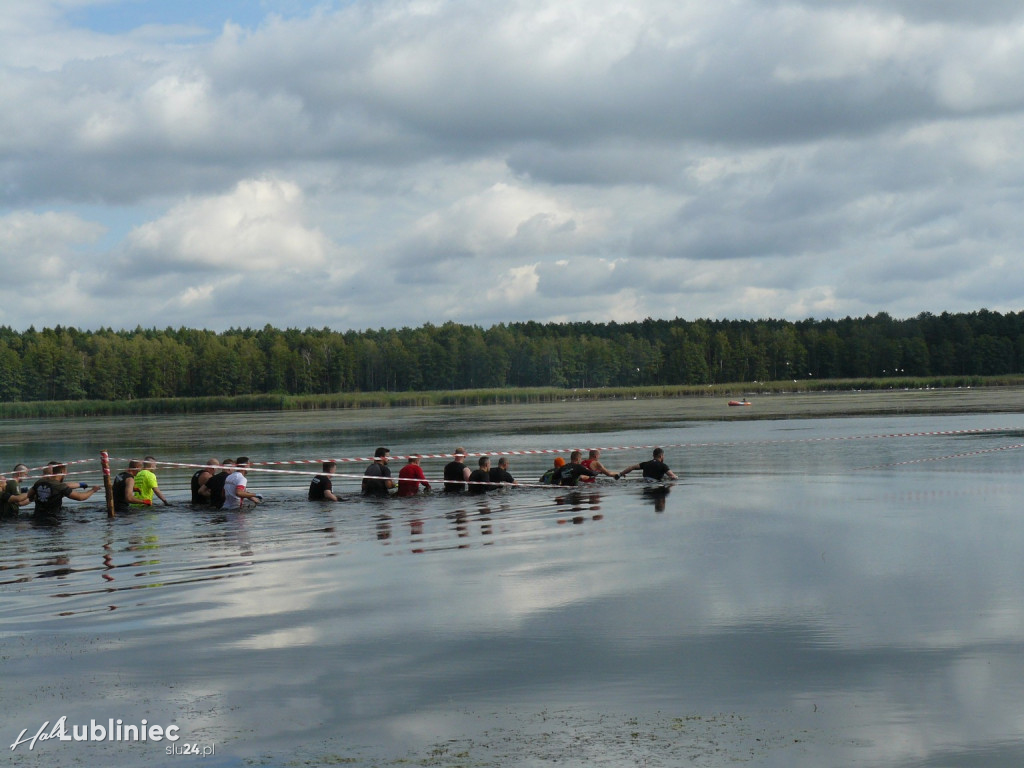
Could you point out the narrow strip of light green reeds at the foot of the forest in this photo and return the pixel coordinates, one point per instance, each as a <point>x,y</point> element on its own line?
<point>511,396</point>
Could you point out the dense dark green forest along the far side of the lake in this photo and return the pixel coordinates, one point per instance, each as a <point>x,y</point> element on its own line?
<point>66,364</point>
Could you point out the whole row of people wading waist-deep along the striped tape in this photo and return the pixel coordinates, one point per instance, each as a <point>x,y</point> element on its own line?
<point>224,485</point>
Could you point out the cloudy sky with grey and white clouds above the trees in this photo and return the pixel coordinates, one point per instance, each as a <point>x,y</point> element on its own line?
<point>389,163</point>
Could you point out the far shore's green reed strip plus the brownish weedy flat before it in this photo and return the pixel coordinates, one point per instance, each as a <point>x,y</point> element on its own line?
<point>769,401</point>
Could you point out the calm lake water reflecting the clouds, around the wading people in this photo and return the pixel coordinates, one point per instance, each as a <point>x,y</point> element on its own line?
<point>812,593</point>
